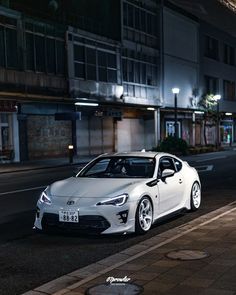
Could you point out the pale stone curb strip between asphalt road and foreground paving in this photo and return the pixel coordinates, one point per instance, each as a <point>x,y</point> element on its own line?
<point>75,279</point>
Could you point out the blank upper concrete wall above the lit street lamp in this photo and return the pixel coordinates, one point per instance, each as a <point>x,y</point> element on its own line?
<point>180,58</point>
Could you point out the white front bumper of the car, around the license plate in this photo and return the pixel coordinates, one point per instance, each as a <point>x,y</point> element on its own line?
<point>92,220</point>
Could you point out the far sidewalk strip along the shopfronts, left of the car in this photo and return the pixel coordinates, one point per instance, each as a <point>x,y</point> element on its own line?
<point>42,164</point>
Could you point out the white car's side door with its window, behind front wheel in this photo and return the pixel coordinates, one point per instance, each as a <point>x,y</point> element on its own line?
<point>171,189</point>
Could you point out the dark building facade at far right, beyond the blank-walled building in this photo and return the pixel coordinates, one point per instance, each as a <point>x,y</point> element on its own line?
<point>218,76</point>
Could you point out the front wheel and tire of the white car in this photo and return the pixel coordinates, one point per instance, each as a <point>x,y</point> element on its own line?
<point>143,216</point>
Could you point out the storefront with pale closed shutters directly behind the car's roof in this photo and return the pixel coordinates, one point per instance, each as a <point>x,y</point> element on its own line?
<point>107,129</point>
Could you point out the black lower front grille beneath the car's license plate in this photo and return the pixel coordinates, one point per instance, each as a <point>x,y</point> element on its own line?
<point>86,224</point>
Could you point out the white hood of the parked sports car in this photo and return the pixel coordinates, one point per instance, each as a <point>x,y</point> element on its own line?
<point>78,187</point>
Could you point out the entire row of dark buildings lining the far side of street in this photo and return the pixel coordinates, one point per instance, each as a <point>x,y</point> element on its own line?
<point>102,78</point>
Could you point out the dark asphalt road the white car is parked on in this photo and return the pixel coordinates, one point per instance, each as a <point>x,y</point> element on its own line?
<point>29,259</point>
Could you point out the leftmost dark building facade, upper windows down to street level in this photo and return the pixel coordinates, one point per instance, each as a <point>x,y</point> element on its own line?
<point>33,87</point>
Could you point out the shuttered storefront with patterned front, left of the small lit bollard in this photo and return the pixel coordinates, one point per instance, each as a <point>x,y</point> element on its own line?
<point>44,132</point>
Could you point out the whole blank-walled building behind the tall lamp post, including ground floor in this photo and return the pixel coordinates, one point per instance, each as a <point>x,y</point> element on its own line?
<point>180,60</point>
